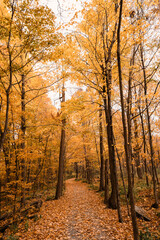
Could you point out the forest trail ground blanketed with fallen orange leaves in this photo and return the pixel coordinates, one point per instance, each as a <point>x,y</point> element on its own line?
<point>79,215</point>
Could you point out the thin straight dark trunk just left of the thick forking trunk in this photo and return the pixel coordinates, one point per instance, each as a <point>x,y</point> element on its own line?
<point>101,187</point>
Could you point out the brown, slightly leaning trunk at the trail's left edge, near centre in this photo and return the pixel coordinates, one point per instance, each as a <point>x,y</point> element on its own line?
<point>59,188</point>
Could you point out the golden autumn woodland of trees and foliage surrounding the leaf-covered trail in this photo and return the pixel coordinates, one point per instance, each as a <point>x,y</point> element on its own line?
<point>106,134</point>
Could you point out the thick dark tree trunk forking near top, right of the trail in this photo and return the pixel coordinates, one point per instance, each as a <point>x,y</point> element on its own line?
<point>106,95</point>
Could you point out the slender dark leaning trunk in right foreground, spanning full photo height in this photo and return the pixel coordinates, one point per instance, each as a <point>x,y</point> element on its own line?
<point>128,163</point>
